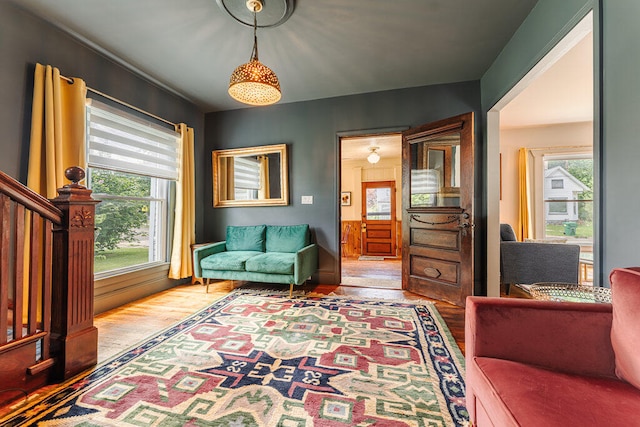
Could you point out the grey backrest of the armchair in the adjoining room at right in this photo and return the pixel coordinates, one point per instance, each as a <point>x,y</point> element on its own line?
<point>527,263</point>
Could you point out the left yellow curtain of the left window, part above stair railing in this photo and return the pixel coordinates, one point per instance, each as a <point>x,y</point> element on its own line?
<point>57,130</point>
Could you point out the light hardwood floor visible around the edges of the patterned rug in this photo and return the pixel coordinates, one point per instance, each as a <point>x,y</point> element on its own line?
<point>125,326</point>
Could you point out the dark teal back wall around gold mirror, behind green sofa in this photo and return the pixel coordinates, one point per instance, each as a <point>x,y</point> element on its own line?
<point>310,129</point>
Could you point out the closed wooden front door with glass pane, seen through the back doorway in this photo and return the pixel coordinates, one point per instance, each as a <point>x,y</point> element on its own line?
<point>379,218</point>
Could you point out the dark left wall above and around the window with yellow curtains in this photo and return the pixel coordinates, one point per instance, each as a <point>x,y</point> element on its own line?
<point>26,40</point>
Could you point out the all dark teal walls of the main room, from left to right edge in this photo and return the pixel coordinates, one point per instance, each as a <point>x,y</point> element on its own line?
<point>310,128</point>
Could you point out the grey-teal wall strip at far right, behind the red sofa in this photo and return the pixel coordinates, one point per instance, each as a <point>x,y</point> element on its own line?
<point>620,133</point>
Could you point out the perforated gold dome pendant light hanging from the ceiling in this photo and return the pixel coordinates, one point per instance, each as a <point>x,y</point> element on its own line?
<point>254,83</point>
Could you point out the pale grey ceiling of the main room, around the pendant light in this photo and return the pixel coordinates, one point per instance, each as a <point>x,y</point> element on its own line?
<point>327,48</point>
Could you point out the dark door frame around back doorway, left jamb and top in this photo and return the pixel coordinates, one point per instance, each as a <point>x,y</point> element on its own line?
<point>372,132</point>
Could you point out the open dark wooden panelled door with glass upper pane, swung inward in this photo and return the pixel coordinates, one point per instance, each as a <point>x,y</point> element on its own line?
<point>437,200</point>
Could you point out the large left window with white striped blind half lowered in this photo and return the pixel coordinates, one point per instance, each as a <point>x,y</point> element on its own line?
<point>132,165</point>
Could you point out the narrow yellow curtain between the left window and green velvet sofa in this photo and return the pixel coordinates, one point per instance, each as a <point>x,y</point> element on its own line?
<point>184,230</point>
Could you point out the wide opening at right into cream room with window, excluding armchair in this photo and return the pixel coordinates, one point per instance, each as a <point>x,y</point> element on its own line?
<point>548,119</point>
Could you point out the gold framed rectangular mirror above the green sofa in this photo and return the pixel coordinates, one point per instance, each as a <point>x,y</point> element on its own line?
<point>252,176</point>
